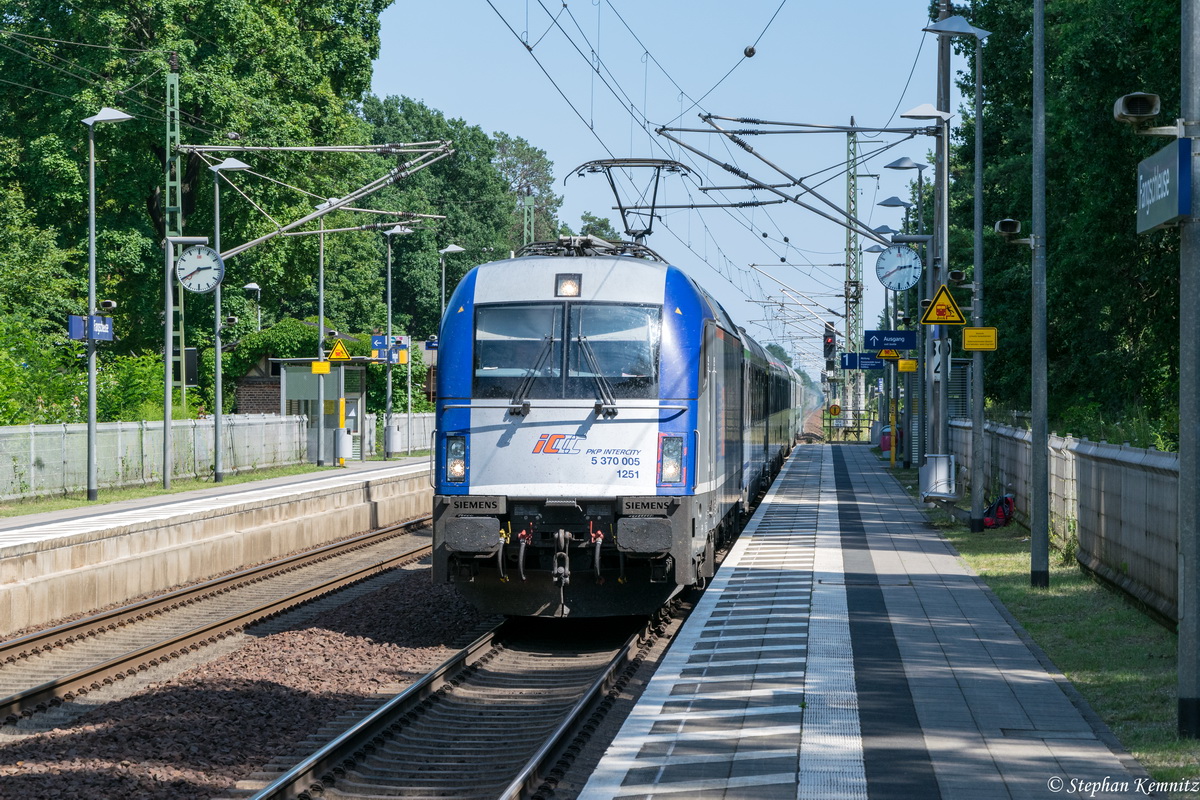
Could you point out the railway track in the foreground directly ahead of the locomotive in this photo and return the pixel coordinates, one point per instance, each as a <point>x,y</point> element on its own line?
<point>499,720</point>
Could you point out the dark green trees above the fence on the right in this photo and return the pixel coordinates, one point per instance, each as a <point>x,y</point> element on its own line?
<point>1113,296</point>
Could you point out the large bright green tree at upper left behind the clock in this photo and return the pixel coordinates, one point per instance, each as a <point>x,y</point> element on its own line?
<point>274,73</point>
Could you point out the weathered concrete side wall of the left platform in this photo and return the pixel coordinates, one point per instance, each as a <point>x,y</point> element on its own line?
<point>47,580</point>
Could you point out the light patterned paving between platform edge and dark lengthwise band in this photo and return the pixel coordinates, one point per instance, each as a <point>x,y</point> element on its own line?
<point>724,715</point>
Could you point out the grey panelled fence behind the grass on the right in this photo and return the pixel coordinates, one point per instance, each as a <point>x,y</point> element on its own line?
<point>1118,506</point>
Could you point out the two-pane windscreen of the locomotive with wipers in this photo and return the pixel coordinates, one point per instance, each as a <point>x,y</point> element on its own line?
<point>619,345</point>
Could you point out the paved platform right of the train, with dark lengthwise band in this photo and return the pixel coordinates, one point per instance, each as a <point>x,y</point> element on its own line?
<point>844,651</point>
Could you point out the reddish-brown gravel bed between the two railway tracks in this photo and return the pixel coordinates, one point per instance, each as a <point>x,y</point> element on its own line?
<point>199,733</point>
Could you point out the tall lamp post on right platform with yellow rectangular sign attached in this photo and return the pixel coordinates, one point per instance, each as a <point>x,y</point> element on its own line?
<point>961,27</point>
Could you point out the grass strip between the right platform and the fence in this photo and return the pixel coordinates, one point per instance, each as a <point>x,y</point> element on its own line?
<point>1121,660</point>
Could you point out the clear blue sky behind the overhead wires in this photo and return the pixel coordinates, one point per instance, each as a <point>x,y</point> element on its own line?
<point>815,63</point>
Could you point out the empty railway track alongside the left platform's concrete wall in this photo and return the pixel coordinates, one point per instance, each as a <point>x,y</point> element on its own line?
<point>46,669</point>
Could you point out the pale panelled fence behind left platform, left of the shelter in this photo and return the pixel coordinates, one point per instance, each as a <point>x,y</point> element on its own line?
<point>38,460</point>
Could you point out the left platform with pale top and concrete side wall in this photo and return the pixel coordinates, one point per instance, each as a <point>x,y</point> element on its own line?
<point>73,562</point>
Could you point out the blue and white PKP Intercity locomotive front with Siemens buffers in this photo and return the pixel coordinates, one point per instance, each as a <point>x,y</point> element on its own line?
<point>567,437</point>
